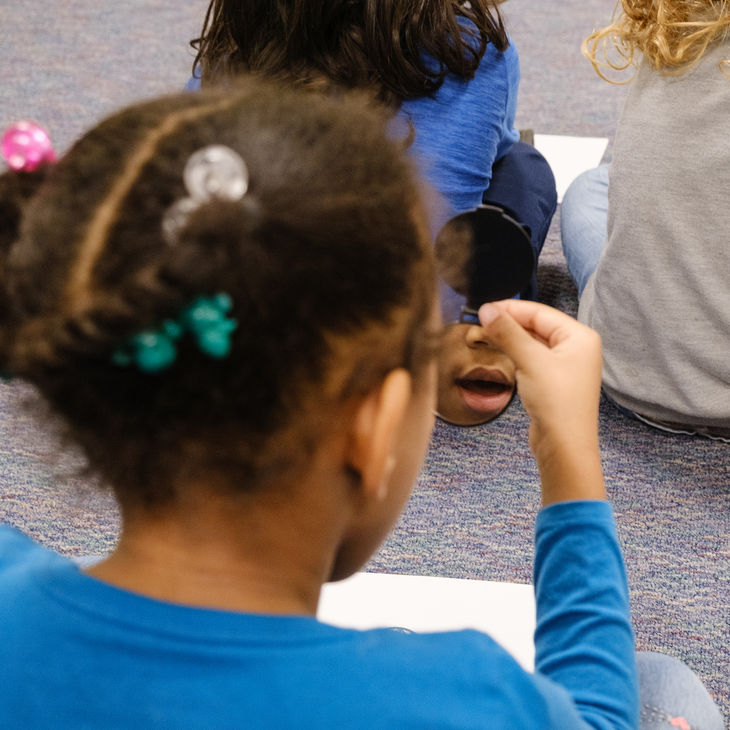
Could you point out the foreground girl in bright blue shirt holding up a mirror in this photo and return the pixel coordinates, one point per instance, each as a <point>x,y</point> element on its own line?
<point>261,416</point>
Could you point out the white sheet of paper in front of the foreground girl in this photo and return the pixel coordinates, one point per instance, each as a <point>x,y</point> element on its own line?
<point>505,611</point>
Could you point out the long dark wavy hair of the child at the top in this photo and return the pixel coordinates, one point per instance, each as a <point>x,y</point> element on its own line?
<point>403,49</point>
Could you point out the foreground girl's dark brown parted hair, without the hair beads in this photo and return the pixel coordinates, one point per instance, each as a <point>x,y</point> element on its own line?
<point>325,248</point>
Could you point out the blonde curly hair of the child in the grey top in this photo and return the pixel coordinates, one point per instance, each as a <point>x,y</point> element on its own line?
<point>672,35</point>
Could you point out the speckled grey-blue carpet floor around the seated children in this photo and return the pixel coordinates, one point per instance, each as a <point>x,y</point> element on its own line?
<point>472,511</point>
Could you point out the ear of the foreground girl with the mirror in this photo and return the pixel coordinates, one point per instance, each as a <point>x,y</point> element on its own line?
<point>374,431</point>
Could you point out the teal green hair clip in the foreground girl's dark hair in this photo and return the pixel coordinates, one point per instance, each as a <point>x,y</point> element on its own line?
<point>206,320</point>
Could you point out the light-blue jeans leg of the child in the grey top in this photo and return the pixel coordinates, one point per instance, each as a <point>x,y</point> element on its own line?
<point>583,216</point>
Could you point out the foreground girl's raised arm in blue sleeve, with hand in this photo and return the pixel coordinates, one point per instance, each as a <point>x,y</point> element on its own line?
<point>583,639</point>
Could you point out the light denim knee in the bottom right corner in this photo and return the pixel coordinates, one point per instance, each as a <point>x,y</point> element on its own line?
<point>672,696</point>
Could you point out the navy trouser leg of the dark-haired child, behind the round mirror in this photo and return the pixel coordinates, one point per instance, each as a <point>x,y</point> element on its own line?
<point>523,183</point>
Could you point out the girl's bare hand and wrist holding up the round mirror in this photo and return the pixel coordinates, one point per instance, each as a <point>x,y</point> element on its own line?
<point>558,369</point>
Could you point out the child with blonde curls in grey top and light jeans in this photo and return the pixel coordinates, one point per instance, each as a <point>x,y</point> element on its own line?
<point>645,239</point>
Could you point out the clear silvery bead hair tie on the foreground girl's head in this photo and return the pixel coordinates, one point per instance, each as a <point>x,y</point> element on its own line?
<point>213,172</point>
